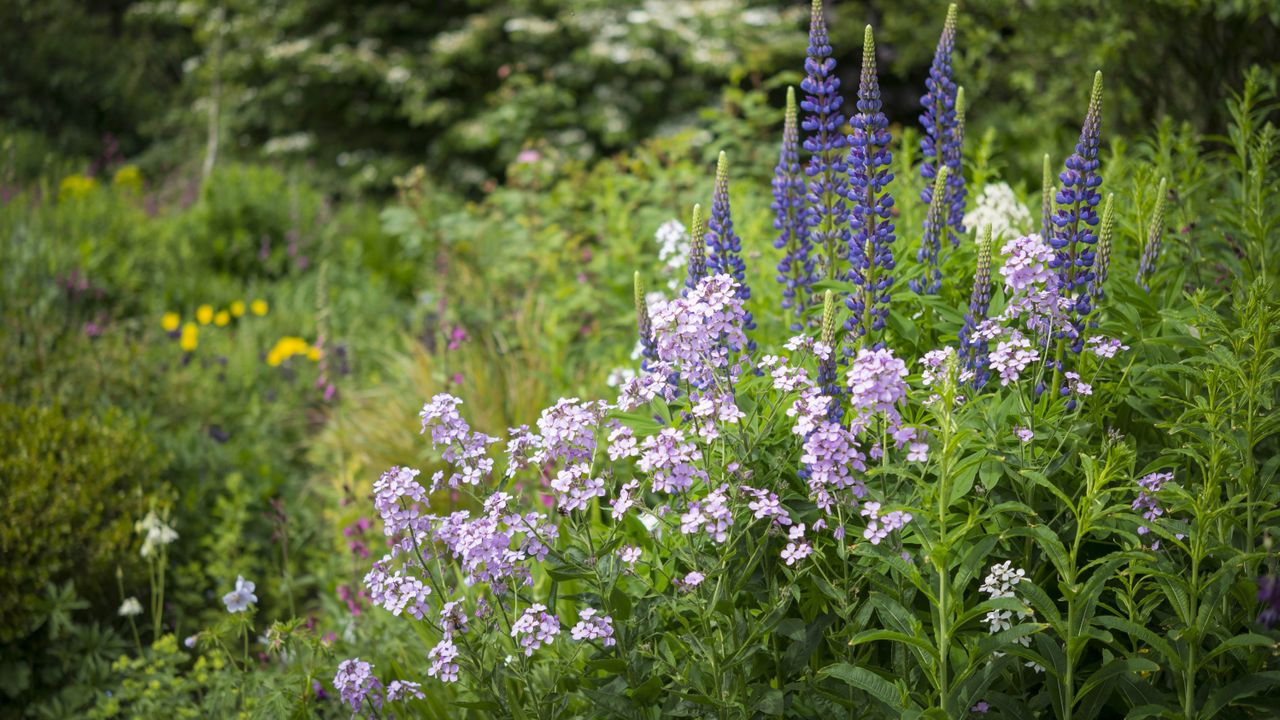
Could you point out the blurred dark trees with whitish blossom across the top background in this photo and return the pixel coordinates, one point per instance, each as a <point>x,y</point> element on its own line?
<point>363,92</point>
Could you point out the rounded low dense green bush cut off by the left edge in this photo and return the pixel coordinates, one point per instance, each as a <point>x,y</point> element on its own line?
<point>71,489</point>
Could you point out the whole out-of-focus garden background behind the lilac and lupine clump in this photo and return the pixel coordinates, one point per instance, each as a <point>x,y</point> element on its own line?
<point>455,200</point>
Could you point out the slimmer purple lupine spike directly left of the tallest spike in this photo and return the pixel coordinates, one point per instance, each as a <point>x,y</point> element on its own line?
<point>796,270</point>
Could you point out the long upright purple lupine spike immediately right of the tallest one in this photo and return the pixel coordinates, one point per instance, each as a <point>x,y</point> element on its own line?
<point>871,250</point>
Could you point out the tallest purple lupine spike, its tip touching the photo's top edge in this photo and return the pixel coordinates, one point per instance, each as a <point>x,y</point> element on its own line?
<point>828,213</point>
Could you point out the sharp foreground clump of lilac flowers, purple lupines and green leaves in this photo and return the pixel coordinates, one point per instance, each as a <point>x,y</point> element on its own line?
<point>925,521</point>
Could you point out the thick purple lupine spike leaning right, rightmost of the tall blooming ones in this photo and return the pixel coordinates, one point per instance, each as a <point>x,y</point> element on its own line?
<point>1073,239</point>
